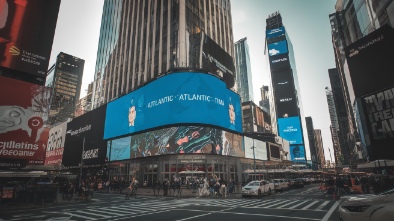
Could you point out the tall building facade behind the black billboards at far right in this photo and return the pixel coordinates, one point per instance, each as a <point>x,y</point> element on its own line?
<point>353,20</point>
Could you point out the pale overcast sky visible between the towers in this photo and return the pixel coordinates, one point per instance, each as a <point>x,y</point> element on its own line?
<point>306,22</point>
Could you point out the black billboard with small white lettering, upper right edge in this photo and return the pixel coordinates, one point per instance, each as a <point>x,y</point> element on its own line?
<point>371,60</point>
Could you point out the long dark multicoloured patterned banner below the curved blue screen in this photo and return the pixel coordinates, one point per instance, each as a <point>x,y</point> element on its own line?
<point>173,140</point>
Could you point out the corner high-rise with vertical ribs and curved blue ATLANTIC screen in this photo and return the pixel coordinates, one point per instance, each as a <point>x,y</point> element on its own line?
<point>166,70</point>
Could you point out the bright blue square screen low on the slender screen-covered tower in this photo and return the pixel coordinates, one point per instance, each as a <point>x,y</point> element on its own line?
<point>290,129</point>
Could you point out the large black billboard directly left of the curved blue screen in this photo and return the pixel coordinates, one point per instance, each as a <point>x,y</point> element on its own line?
<point>85,134</point>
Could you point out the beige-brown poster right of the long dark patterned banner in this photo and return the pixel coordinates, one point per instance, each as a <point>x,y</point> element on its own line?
<point>232,145</point>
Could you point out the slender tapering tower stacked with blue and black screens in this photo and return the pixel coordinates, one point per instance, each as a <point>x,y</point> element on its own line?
<point>285,89</point>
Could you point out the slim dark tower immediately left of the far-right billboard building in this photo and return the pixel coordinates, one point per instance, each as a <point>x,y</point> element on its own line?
<point>337,124</point>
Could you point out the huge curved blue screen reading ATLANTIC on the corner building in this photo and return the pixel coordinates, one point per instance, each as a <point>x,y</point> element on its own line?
<point>177,98</point>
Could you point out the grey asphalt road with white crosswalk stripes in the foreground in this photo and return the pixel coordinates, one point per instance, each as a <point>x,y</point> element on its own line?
<point>307,203</point>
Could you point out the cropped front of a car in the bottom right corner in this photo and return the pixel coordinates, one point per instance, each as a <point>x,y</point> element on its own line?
<point>371,207</point>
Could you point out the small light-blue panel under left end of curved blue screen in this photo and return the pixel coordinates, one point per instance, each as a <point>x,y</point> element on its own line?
<point>119,149</point>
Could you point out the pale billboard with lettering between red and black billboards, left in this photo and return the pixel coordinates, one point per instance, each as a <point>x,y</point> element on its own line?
<point>55,146</point>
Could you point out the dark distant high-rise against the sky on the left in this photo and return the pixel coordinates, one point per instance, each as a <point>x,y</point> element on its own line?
<point>65,79</point>
